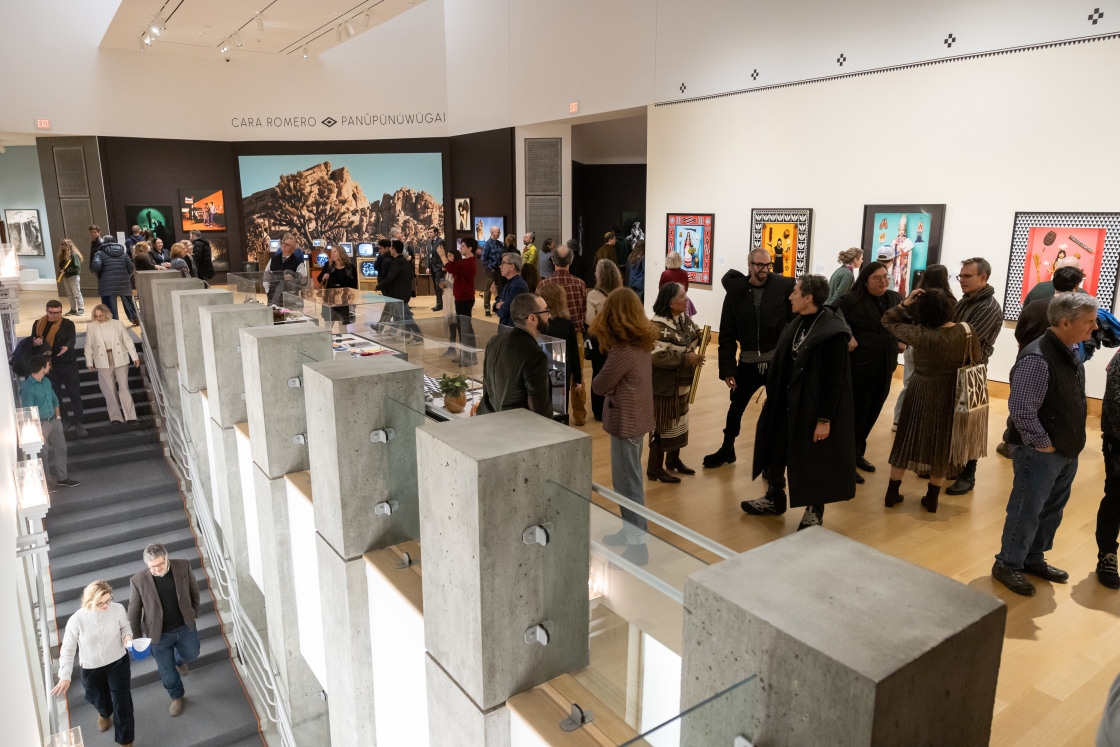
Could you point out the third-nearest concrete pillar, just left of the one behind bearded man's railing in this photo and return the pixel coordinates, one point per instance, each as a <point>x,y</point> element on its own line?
<point>351,474</point>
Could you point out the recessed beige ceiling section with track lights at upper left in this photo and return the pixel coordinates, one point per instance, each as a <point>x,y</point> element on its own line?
<point>203,27</point>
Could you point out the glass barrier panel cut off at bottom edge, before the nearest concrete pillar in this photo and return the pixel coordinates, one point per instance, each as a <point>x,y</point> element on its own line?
<point>718,721</point>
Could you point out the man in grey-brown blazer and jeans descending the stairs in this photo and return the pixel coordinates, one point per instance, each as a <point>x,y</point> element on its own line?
<point>163,606</point>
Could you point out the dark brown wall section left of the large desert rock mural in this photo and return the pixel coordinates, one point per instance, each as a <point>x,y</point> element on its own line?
<point>148,171</point>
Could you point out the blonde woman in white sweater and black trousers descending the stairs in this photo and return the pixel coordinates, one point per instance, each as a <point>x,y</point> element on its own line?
<point>101,631</point>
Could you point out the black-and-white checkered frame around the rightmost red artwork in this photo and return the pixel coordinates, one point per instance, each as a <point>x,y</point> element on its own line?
<point>1024,222</point>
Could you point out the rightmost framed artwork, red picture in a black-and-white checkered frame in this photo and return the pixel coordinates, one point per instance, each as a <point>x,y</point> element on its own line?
<point>1042,241</point>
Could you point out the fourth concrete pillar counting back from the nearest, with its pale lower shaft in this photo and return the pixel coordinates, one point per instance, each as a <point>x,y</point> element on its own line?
<point>272,357</point>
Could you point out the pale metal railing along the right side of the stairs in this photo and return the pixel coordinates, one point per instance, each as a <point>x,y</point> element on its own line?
<point>250,650</point>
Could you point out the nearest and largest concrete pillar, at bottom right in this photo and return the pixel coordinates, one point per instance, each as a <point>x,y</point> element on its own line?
<point>852,648</point>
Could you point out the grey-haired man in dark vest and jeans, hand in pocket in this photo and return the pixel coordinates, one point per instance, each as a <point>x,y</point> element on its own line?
<point>1047,434</point>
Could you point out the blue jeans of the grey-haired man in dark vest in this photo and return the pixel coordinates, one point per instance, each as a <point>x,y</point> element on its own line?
<point>1034,511</point>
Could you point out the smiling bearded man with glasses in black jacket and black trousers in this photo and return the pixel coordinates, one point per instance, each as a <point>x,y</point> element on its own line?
<point>757,311</point>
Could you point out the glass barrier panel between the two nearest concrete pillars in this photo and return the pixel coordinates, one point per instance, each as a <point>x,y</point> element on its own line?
<point>636,593</point>
